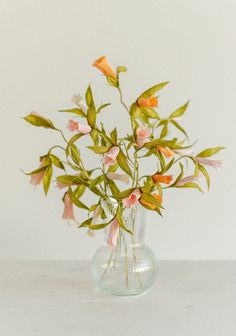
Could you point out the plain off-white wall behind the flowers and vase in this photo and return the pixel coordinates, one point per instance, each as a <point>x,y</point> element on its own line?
<point>47,47</point>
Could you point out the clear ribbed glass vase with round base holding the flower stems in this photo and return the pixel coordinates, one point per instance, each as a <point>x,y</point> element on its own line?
<point>130,267</point>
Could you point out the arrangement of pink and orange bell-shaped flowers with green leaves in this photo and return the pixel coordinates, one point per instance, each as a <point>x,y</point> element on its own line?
<point>120,157</point>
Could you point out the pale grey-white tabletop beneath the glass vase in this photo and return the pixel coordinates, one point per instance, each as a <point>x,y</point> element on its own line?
<point>58,298</point>
